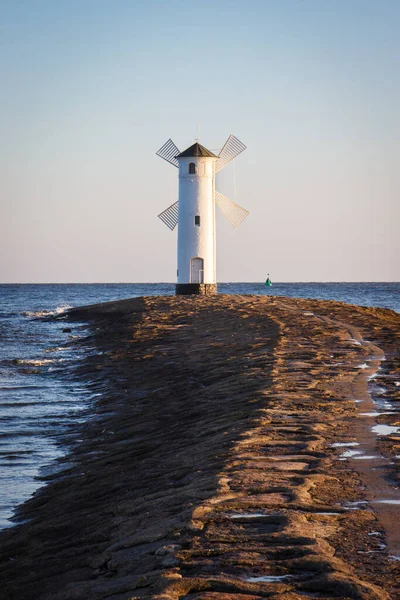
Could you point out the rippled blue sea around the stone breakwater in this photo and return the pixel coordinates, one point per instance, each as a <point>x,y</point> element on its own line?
<point>39,398</point>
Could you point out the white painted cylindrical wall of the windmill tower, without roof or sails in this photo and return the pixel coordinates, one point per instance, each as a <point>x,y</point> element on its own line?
<point>196,197</point>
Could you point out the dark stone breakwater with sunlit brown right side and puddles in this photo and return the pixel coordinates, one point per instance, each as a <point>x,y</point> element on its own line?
<point>217,462</point>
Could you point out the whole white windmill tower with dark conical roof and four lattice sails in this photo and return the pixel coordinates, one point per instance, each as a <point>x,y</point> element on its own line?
<point>194,213</point>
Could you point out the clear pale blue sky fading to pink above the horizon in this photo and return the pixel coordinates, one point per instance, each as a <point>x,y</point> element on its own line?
<point>90,89</point>
